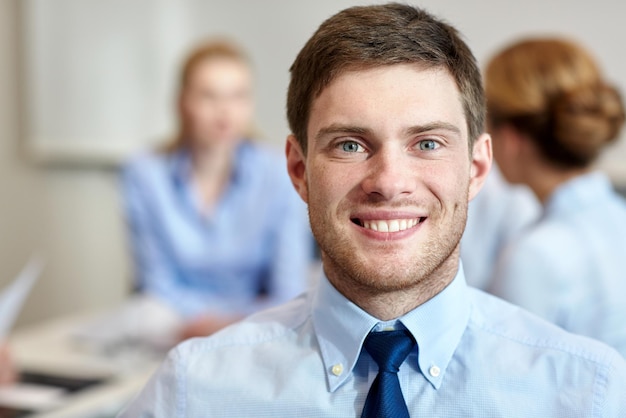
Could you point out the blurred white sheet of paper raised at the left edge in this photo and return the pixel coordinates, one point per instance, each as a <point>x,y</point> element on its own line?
<point>13,296</point>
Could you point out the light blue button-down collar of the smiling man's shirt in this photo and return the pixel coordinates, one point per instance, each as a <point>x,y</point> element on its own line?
<point>437,326</point>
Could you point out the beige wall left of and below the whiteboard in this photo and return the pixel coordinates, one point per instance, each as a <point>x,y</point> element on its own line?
<point>70,215</point>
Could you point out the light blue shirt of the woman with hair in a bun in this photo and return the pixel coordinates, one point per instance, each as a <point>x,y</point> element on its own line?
<point>570,267</point>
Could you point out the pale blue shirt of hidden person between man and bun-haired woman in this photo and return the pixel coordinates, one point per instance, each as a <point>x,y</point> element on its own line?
<point>495,217</point>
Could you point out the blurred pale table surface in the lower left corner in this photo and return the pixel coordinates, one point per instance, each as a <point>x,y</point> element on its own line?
<point>52,347</point>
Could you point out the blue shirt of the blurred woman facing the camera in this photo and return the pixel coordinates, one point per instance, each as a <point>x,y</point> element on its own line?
<point>257,238</point>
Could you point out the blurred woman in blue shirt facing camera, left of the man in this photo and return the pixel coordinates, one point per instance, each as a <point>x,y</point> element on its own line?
<point>216,229</point>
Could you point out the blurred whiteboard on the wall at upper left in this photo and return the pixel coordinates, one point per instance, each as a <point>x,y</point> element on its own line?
<point>97,75</point>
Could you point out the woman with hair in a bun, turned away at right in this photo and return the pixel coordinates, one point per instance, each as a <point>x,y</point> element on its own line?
<point>551,114</point>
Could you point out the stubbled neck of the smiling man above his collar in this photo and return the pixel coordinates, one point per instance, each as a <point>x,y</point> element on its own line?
<point>392,303</point>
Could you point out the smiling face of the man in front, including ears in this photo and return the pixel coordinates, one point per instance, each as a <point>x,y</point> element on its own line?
<point>387,175</point>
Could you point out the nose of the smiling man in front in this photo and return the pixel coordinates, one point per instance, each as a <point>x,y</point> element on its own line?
<point>390,175</point>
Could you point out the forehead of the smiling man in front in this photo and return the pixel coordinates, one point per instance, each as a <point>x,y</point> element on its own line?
<point>387,97</point>
